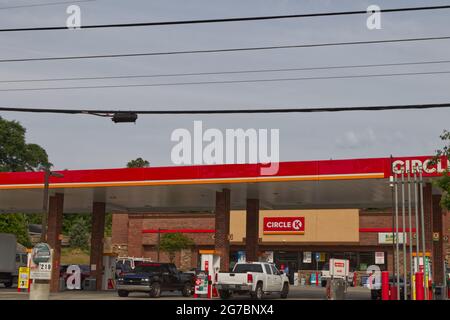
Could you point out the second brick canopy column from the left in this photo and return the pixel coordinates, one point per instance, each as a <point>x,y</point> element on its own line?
<point>97,235</point>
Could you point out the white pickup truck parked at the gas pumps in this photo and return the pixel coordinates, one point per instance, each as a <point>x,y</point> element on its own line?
<point>254,278</point>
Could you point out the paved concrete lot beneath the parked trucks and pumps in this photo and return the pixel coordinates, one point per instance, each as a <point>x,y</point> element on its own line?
<point>296,293</point>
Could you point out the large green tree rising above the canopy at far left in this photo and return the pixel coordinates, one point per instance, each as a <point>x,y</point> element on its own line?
<point>15,153</point>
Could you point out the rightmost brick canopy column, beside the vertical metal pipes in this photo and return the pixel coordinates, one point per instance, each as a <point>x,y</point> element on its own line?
<point>438,246</point>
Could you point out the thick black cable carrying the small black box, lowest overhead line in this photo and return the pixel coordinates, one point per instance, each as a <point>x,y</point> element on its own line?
<point>164,111</point>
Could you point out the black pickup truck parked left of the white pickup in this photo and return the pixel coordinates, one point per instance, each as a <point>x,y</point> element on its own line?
<point>153,278</point>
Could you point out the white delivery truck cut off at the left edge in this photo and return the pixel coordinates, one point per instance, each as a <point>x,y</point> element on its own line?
<point>8,257</point>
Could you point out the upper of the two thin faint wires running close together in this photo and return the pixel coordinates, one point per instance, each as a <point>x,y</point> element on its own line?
<point>229,72</point>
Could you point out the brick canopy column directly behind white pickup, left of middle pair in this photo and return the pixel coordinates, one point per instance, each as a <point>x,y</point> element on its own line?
<point>221,240</point>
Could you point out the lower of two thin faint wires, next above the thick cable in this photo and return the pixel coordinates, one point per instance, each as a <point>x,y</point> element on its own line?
<point>228,81</point>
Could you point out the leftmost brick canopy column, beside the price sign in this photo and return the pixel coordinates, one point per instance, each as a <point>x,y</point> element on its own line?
<point>54,229</point>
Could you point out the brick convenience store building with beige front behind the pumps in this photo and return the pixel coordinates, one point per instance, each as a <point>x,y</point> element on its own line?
<point>352,234</point>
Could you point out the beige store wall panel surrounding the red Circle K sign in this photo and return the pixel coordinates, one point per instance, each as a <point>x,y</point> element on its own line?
<point>322,226</point>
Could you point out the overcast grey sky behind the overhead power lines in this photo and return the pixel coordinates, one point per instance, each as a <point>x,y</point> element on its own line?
<point>79,142</point>
